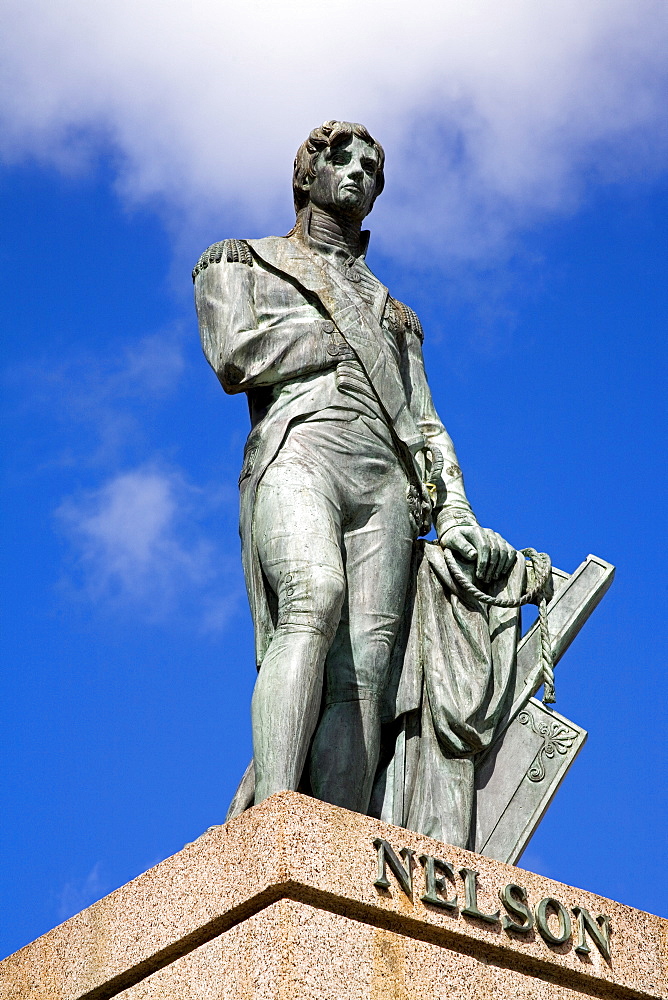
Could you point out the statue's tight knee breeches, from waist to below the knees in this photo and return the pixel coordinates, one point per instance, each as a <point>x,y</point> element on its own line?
<point>334,535</point>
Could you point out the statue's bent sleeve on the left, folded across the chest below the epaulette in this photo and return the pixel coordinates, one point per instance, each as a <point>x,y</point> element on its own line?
<point>248,339</point>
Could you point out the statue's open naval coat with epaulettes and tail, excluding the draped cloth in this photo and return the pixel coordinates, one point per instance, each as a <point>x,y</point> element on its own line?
<point>274,311</point>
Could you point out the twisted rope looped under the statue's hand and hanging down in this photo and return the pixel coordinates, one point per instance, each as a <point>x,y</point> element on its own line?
<point>539,572</point>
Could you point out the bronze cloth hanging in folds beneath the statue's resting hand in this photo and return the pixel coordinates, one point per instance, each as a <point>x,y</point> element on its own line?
<point>450,691</point>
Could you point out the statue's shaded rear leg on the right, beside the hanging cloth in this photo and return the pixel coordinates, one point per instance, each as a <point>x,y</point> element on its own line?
<point>344,756</point>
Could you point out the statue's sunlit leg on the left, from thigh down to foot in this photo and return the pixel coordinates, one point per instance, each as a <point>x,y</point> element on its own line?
<point>297,537</point>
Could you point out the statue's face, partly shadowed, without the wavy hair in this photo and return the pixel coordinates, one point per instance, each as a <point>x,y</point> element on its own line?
<point>345,180</point>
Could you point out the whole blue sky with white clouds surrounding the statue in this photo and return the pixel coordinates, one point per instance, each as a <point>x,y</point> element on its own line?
<point>532,245</point>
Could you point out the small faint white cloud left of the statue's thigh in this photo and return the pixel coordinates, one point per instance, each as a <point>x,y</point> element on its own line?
<point>139,542</point>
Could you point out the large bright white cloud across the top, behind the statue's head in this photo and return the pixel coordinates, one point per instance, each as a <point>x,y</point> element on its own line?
<point>492,111</point>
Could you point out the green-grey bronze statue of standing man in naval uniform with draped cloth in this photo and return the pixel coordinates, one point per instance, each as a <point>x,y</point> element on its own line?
<point>346,465</point>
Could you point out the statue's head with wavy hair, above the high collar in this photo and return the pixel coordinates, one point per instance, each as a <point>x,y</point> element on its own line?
<point>339,168</point>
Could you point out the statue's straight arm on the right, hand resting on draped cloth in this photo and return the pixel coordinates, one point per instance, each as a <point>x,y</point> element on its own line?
<point>456,525</point>
